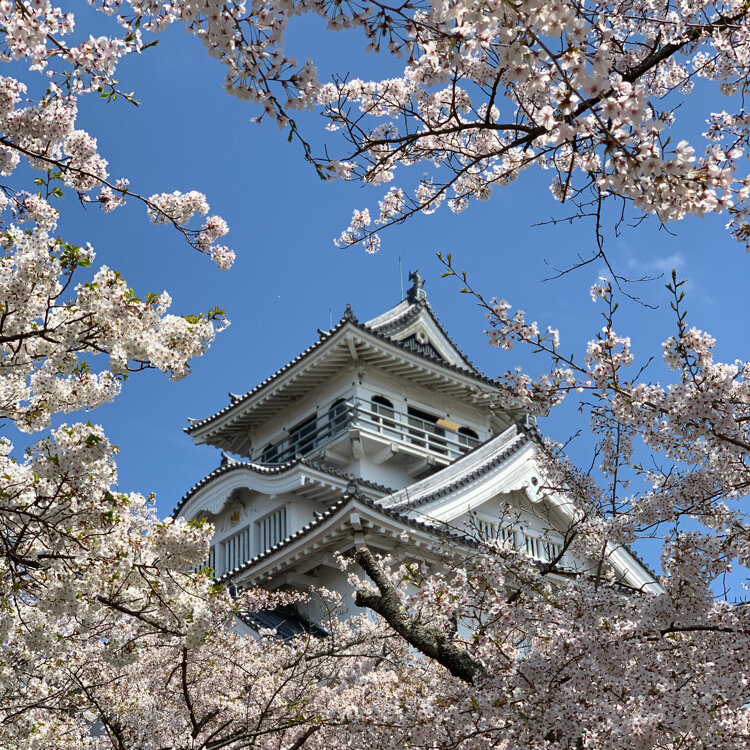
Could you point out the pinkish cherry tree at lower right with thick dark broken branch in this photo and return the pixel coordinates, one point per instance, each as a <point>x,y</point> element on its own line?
<point>589,663</point>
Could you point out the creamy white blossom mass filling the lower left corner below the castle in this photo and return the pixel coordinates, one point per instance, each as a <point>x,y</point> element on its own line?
<point>104,622</point>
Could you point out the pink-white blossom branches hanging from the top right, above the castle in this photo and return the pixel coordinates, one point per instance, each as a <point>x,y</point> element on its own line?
<point>490,90</point>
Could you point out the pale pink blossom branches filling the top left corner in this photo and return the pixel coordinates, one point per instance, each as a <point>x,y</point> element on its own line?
<point>44,132</point>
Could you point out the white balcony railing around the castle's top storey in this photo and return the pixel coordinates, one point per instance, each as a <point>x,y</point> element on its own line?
<point>397,426</point>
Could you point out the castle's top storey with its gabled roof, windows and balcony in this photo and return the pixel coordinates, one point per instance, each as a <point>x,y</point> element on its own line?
<point>388,401</point>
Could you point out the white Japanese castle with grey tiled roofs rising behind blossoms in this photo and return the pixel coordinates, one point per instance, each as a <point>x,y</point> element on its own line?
<point>377,434</point>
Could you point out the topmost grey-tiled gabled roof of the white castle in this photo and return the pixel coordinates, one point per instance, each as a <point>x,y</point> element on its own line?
<point>348,341</point>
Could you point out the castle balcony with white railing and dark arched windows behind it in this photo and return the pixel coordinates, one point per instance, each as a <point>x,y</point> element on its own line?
<point>351,430</point>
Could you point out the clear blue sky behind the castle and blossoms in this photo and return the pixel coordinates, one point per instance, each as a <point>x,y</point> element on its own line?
<point>188,134</point>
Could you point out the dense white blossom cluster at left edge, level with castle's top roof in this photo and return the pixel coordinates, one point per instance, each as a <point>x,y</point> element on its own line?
<point>44,336</point>
